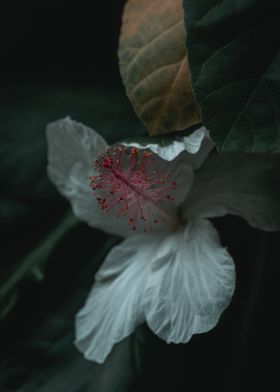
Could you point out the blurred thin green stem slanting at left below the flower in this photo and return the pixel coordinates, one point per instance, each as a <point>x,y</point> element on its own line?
<point>33,263</point>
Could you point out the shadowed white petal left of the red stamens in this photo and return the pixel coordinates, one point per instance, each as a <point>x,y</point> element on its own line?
<point>72,147</point>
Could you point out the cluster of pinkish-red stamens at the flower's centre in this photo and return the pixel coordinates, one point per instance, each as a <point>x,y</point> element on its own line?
<point>128,184</point>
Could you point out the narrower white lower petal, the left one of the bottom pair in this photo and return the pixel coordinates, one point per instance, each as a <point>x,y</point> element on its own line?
<point>114,306</point>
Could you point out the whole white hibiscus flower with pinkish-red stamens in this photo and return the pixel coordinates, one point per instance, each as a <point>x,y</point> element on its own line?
<point>170,270</point>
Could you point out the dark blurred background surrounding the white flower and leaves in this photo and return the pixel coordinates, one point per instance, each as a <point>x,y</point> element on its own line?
<point>59,59</point>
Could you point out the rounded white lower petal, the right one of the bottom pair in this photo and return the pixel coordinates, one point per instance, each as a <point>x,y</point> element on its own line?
<point>191,283</point>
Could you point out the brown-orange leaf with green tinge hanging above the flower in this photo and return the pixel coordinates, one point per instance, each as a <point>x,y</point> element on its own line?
<point>153,65</point>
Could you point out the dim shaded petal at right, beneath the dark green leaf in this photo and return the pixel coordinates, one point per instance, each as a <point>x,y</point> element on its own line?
<point>247,185</point>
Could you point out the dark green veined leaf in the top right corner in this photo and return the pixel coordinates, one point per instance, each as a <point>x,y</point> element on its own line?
<point>234,57</point>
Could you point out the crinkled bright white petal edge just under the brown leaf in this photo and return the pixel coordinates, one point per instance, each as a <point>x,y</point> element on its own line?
<point>196,146</point>
